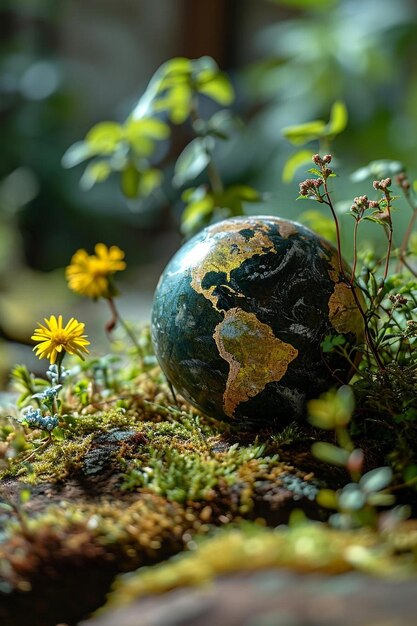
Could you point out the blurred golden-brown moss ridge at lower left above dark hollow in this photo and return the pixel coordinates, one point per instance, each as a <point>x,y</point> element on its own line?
<point>144,531</point>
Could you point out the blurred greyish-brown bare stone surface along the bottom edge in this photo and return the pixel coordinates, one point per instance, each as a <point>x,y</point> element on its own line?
<point>276,598</point>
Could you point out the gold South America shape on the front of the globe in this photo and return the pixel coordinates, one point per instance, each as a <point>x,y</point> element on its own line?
<point>255,356</point>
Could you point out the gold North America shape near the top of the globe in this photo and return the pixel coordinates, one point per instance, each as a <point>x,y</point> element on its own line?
<point>227,256</point>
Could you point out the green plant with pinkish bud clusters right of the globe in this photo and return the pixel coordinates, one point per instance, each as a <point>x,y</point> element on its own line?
<point>385,300</point>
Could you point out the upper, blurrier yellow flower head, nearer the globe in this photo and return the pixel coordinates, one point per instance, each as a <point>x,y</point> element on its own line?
<point>88,275</point>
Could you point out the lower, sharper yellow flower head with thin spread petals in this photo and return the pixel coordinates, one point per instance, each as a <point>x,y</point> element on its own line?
<point>55,339</point>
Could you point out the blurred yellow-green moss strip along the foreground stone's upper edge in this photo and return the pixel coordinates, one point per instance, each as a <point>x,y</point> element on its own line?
<point>309,547</point>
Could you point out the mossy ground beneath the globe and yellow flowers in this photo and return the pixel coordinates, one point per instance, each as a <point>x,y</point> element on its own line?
<point>134,478</point>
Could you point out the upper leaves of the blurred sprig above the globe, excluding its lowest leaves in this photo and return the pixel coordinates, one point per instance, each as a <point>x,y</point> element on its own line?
<point>128,148</point>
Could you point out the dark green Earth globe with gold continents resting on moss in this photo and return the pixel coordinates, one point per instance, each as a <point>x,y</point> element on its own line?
<point>240,314</point>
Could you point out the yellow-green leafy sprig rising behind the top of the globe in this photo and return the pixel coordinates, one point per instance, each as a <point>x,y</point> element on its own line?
<point>173,96</point>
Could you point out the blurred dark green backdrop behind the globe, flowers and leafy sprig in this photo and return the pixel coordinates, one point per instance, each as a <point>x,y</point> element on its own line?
<point>68,66</point>
